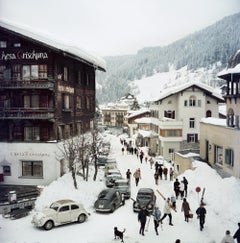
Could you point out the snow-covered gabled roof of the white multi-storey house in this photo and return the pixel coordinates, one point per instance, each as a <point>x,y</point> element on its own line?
<point>174,90</point>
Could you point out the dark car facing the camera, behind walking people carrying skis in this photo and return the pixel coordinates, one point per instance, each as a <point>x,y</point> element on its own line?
<point>145,197</point>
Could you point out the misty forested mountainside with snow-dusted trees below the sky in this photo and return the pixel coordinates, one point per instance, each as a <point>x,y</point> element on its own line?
<point>214,44</point>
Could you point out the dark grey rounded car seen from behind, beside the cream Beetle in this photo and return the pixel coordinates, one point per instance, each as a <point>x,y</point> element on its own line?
<point>109,200</point>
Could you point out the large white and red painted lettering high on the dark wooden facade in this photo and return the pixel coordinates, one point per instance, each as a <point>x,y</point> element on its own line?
<point>20,55</point>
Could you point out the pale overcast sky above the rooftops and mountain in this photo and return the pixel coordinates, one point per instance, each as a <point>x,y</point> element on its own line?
<point>117,27</point>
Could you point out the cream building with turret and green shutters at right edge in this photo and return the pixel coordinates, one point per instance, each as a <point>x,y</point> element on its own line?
<point>220,139</point>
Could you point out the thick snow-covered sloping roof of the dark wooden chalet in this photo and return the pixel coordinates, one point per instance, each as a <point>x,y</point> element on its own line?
<point>51,41</point>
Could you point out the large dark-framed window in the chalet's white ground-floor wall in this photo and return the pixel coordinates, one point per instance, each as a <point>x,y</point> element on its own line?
<point>32,168</point>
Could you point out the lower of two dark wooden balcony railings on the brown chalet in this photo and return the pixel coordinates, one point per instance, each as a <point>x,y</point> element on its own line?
<point>26,113</point>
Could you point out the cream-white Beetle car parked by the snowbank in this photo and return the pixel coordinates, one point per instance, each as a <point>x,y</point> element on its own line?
<point>60,212</point>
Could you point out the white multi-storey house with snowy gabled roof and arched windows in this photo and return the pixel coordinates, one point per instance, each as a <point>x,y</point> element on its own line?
<point>177,113</point>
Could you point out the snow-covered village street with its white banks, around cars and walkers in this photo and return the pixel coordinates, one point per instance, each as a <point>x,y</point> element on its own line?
<point>221,198</point>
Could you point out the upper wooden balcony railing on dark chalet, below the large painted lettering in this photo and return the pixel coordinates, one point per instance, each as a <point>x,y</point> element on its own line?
<point>14,83</point>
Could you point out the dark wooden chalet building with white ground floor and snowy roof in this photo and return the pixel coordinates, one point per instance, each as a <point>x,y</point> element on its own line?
<point>47,94</point>
